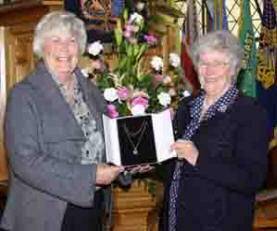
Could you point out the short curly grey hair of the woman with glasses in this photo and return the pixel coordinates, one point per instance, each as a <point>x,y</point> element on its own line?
<point>221,40</point>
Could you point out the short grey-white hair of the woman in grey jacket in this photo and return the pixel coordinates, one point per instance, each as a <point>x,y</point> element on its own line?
<point>58,22</point>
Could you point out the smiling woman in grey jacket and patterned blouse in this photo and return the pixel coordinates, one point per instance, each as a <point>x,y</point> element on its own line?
<point>54,137</point>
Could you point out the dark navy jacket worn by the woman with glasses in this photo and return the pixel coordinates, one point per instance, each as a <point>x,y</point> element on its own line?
<point>218,193</point>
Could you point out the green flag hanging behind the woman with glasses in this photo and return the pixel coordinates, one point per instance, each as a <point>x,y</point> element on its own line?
<point>247,76</point>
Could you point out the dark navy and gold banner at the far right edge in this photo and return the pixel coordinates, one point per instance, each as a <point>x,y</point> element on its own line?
<point>266,67</point>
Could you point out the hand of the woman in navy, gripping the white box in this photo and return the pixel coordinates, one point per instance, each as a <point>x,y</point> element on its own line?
<point>186,150</point>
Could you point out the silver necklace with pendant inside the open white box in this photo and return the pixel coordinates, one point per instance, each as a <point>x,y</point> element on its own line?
<point>140,132</point>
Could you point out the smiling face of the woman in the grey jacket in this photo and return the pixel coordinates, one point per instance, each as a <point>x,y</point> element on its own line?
<point>60,54</point>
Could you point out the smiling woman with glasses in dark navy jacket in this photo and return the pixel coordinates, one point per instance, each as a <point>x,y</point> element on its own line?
<point>222,146</point>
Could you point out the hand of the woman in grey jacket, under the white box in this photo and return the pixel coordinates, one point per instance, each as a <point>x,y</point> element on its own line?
<point>105,174</point>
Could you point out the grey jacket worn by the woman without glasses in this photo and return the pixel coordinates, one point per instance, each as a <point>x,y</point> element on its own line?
<point>43,140</point>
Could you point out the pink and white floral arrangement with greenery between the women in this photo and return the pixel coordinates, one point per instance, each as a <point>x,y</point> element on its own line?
<point>130,89</point>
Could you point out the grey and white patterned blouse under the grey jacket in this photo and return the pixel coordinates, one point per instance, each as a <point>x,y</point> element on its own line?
<point>92,150</point>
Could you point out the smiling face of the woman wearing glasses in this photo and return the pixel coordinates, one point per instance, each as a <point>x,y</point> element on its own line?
<point>215,71</point>
